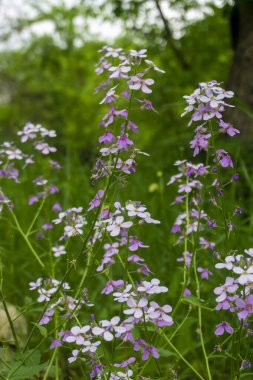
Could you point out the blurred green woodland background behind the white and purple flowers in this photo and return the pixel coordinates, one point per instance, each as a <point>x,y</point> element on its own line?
<point>47,63</point>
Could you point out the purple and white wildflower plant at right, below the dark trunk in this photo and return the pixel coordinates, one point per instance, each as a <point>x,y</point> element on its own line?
<point>202,188</point>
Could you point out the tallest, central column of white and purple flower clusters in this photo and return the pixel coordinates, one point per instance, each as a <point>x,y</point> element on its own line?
<point>113,228</point>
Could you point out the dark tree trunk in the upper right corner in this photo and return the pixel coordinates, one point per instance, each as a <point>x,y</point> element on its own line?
<point>241,75</point>
